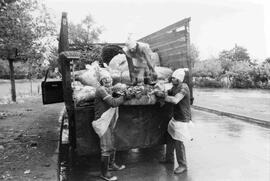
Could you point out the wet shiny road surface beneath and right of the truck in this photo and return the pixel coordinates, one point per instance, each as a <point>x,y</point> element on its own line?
<point>223,149</point>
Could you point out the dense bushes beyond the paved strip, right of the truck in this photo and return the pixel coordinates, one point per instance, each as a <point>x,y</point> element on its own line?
<point>235,64</point>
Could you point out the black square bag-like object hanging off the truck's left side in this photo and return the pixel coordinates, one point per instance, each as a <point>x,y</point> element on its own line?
<point>52,91</point>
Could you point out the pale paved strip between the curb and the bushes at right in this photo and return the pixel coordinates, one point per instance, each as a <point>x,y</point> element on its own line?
<point>254,103</point>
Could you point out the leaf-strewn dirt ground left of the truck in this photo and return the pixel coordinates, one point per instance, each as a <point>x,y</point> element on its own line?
<point>29,134</point>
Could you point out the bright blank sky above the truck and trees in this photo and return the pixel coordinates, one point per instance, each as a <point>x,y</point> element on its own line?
<point>215,25</point>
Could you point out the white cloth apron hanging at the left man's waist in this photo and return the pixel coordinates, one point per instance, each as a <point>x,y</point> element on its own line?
<point>101,125</point>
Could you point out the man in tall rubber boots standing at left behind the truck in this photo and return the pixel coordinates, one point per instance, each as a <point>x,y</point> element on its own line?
<point>103,102</point>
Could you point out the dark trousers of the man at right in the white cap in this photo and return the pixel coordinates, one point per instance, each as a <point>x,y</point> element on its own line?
<point>179,149</point>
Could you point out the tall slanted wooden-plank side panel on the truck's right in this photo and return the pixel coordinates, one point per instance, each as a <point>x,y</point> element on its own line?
<point>172,44</point>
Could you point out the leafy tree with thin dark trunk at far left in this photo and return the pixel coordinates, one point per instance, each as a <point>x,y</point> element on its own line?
<point>23,26</point>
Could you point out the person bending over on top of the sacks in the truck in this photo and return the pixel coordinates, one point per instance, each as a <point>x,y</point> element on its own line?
<point>139,62</point>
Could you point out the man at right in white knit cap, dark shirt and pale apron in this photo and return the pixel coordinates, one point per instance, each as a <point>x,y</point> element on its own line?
<point>179,96</point>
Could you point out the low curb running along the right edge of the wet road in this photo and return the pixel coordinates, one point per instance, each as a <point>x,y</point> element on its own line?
<point>236,116</point>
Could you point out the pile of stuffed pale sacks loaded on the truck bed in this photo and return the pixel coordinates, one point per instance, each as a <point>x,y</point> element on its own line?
<point>88,80</point>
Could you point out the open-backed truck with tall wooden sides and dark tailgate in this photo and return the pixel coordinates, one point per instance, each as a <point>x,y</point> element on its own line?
<point>138,126</point>
